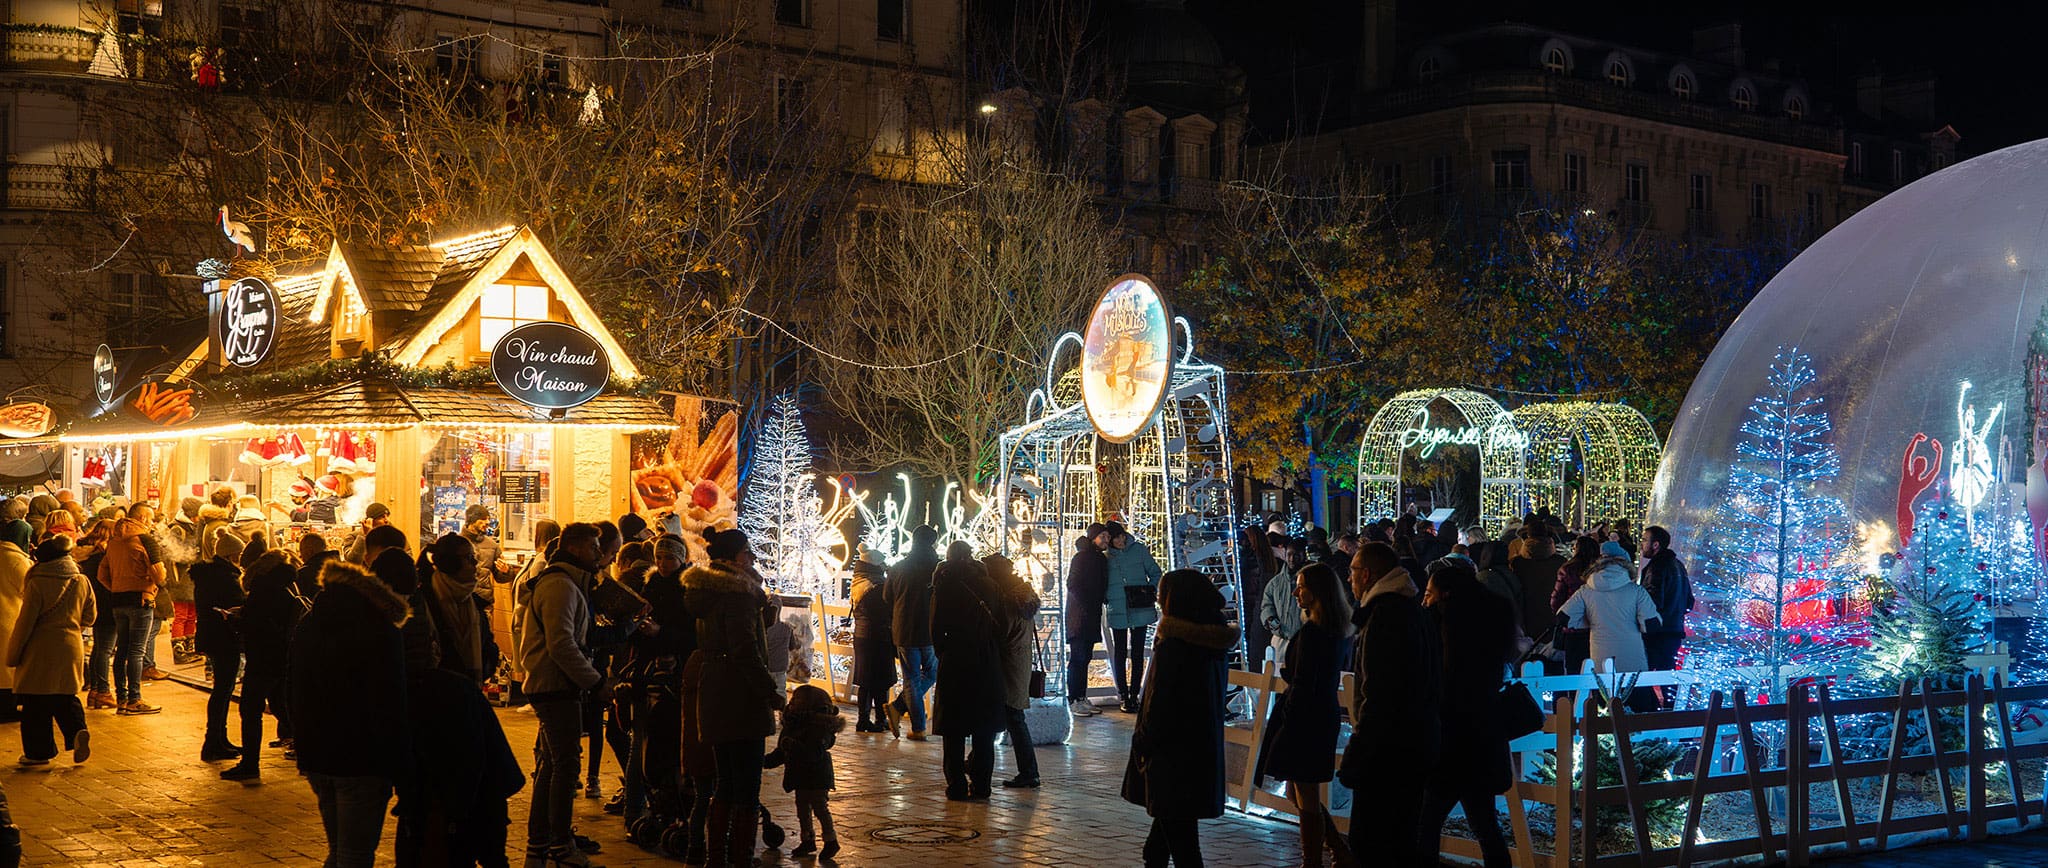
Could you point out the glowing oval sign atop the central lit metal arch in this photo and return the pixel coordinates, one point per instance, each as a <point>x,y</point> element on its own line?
<point>1127,359</point>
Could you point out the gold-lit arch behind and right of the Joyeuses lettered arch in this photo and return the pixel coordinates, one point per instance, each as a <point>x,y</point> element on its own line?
<point>1621,455</point>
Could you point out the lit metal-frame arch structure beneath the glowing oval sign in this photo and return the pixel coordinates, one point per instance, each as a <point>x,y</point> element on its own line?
<point>1179,466</point>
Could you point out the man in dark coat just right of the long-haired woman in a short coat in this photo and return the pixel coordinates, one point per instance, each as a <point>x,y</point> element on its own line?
<point>1394,707</point>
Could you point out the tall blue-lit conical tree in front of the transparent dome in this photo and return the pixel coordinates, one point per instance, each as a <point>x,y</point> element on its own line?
<point>1781,564</point>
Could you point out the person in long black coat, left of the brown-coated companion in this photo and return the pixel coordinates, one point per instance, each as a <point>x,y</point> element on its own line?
<point>970,701</point>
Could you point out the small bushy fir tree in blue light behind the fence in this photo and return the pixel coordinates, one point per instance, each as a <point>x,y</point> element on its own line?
<point>1936,611</point>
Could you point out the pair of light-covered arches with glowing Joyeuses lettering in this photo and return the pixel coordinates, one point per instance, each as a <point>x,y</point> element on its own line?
<point>1523,455</point>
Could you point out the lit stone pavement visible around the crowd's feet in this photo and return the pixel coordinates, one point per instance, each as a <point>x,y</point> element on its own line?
<point>144,799</point>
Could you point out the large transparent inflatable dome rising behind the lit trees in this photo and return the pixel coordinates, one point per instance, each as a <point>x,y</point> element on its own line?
<point>1930,288</point>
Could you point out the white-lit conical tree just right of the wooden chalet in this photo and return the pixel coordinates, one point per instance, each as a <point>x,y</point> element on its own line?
<point>783,515</point>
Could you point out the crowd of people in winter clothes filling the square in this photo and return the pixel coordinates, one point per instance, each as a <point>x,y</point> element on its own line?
<point>683,668</point>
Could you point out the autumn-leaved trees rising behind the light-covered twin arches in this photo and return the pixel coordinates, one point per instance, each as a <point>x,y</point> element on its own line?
<point>1324,306</point>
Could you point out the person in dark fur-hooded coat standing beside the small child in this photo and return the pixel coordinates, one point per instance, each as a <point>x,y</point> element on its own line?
<point>730,699</point>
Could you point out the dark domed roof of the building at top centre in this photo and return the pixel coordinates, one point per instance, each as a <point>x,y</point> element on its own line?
<point>1172,60</point>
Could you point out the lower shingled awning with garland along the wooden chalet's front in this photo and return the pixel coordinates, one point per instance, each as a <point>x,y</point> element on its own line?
<point>374,406</point>
